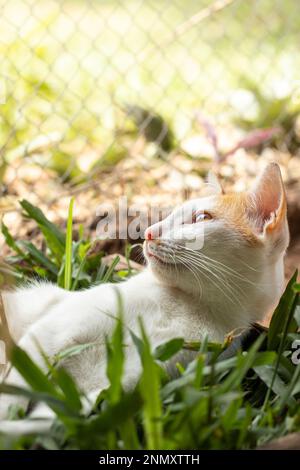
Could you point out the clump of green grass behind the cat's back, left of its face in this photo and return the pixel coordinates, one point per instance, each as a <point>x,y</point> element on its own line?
<point>72,264</point>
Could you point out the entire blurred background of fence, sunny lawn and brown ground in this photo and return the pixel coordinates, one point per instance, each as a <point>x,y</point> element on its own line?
<point>103,98</point>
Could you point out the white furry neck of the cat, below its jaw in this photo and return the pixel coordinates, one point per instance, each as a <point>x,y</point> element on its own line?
<point>194,315</point>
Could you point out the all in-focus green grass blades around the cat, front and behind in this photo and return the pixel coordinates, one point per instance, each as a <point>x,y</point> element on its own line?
<point>226,397</point>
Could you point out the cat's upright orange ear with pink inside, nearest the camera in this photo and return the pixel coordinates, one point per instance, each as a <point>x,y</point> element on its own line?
<point>268,201</point>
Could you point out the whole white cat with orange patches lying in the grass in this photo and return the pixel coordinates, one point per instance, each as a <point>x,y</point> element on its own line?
<point>234,278</point>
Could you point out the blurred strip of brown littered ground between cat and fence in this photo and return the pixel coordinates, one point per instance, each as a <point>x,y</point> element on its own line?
<point>144,181</point>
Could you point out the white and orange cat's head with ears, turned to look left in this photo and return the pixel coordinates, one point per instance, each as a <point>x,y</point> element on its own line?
<point>225,247</point>
